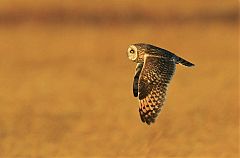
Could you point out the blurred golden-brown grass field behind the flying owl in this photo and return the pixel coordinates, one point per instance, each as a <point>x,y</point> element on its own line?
<point>66,88</point>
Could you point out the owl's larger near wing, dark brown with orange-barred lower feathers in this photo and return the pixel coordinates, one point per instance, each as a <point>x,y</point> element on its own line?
<point>154,78</point>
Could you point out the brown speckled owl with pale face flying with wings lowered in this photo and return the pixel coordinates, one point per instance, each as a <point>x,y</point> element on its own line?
<point>155,68</point>
